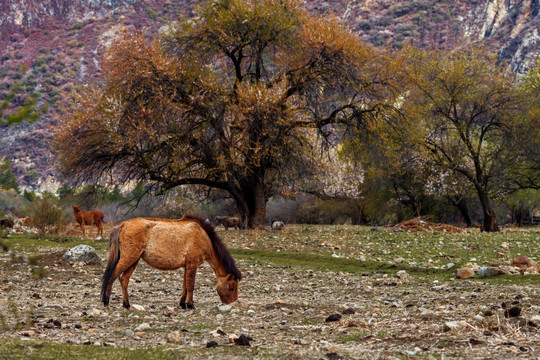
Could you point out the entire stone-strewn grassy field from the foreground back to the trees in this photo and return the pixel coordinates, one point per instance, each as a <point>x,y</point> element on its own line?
<point>293,280</point>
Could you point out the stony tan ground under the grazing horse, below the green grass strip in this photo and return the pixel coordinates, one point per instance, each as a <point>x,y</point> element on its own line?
<point>283,311</point>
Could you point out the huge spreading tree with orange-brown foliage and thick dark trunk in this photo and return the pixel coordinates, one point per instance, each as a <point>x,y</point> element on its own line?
<point>229,99</point>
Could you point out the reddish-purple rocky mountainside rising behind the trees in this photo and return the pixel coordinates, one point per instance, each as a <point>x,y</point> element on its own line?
<point>61,42</point>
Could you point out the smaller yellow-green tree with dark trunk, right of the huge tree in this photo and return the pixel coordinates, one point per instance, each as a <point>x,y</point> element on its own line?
<point>469,109</point>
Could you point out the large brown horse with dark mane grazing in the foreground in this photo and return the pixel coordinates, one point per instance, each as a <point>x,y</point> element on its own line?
<point>170,245</point>
